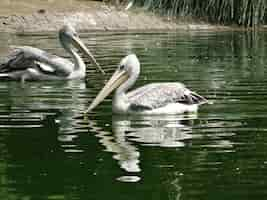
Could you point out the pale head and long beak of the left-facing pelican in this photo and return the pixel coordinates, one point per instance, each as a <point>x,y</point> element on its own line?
<point>123,78</point>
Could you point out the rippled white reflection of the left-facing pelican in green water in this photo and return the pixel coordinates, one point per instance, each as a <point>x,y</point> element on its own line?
<point>130,132</point>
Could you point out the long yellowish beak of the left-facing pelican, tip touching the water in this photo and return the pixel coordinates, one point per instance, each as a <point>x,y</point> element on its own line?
<point>119,77</point>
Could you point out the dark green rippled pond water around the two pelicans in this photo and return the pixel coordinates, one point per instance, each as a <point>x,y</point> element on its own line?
<point>49,151</point>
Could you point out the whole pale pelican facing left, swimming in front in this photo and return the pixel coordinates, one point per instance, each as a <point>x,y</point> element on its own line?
<point>154,98</point>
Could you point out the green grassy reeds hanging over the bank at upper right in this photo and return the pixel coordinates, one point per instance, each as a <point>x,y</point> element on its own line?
<point>242,12</point>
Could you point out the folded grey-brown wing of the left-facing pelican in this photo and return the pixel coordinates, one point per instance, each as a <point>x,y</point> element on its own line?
<point>157,95</point>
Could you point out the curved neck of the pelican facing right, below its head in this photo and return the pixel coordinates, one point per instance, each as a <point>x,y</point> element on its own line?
<point>79,65</point>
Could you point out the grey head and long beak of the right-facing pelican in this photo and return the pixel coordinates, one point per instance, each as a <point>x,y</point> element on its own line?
<point>68,35</point>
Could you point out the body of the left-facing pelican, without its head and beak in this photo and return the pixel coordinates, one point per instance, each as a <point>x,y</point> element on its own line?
<point>156,98</point>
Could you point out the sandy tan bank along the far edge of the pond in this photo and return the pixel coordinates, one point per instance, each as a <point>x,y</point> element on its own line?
<point>88,16</point>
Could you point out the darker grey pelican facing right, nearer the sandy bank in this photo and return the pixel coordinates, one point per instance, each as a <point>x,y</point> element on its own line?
<point>29,63</point>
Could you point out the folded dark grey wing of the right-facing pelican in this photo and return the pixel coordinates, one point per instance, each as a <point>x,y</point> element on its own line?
<point>25,57</point>
